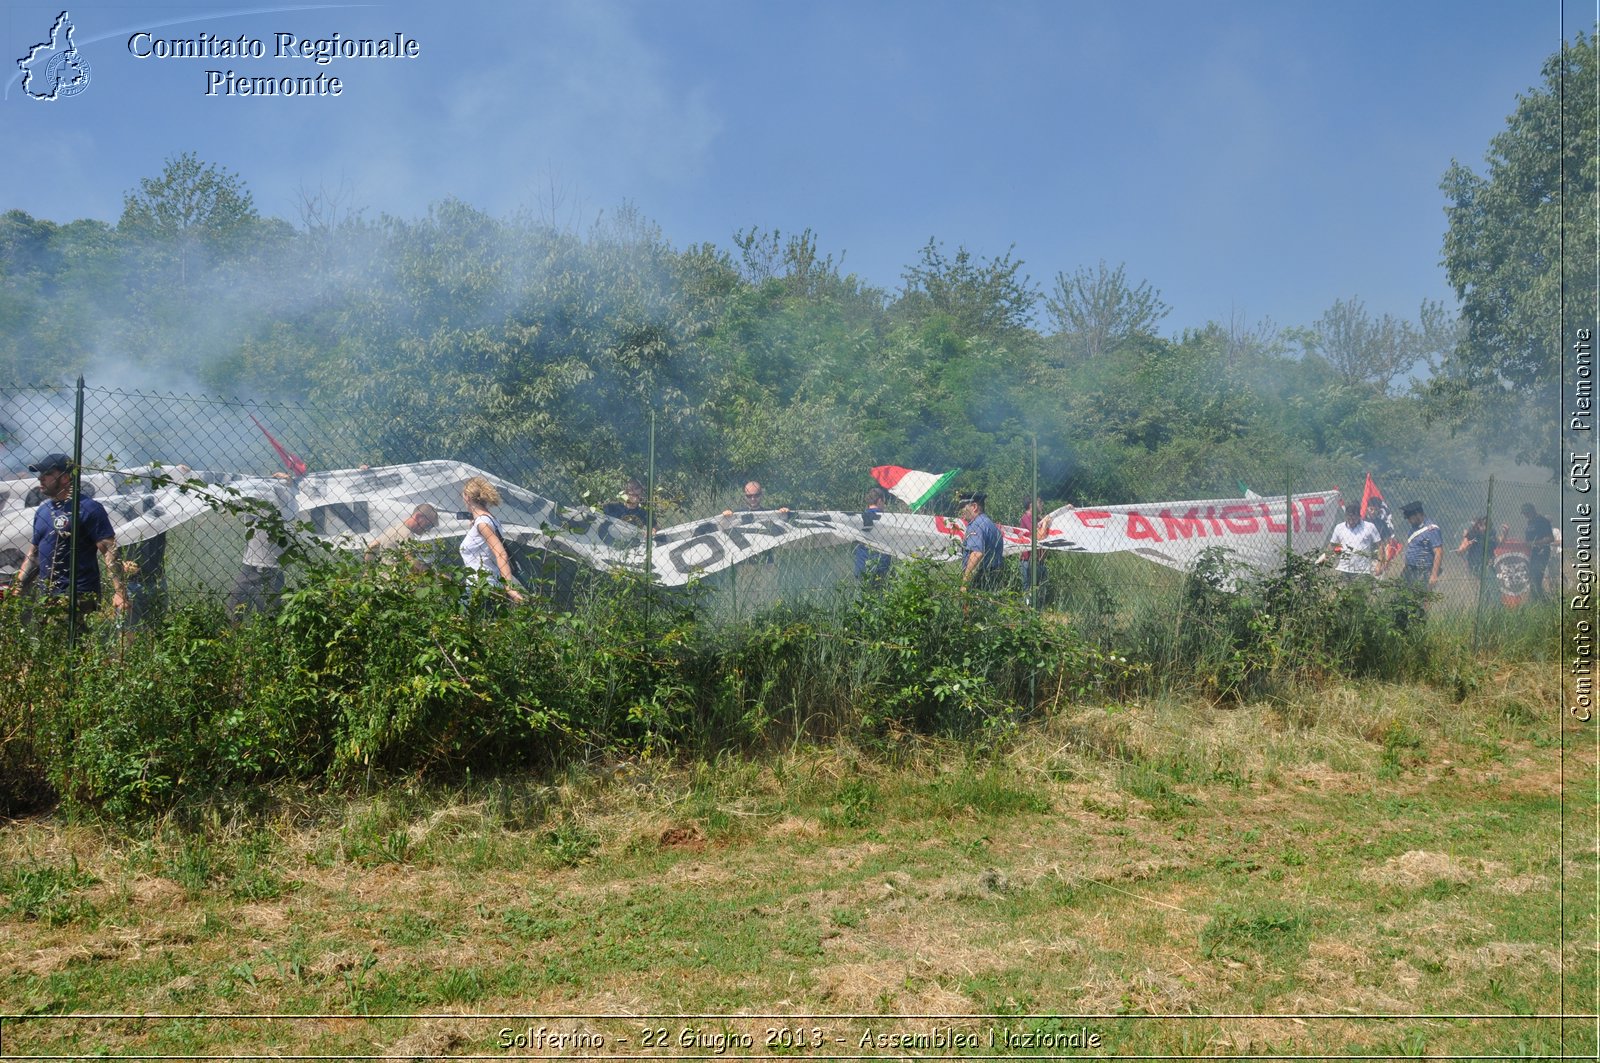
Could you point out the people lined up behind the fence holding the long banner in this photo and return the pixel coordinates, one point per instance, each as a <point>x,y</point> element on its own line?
<point>68,552</point>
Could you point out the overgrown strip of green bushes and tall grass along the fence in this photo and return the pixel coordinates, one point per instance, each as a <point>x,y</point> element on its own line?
<point>369,673</point>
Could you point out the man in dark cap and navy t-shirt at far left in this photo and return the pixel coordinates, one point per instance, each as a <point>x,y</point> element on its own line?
<point>65,550</point>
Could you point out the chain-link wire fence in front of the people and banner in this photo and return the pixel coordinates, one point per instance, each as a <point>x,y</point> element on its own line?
<point>191,486</point>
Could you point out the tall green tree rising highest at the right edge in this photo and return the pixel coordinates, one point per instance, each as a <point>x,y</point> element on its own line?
<point>1510,230</point>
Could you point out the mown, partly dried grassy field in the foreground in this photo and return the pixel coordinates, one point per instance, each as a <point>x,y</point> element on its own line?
<point>1375,870</point>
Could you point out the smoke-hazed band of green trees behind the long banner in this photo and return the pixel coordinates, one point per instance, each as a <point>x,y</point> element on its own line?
<point>543,351</point>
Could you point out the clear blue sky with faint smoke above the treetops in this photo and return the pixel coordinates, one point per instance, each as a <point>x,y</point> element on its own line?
<point>1247,159</point>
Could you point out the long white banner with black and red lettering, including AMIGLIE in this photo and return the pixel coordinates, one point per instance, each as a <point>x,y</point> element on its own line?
<point>350,508</point>
